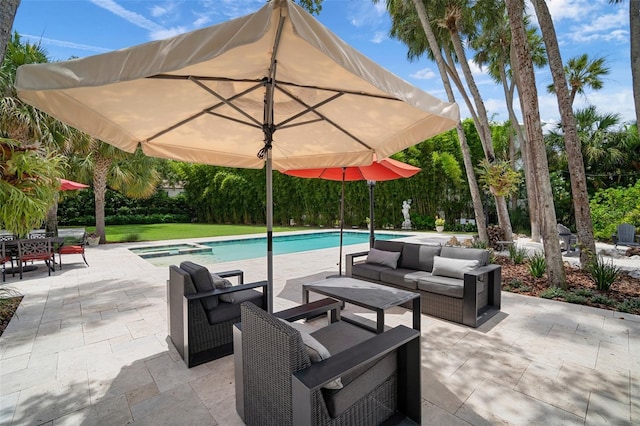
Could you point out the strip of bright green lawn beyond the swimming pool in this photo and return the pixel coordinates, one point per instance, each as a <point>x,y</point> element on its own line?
<point>172,231</point>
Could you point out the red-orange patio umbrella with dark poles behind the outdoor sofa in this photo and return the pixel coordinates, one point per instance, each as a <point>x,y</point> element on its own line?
<point>385,169</point>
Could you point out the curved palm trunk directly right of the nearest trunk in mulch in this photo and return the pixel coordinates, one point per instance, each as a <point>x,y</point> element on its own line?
<point>572,144</point>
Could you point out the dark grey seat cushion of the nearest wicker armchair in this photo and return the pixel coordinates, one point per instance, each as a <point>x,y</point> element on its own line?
<point>356,384</point>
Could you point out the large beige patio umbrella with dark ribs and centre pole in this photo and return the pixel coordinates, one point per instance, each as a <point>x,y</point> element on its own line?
<point>272,89</point>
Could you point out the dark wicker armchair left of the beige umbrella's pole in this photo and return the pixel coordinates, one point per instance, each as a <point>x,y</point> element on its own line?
<point>200,324</point>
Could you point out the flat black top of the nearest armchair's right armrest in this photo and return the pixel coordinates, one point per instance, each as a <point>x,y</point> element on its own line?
<point>321,373</point>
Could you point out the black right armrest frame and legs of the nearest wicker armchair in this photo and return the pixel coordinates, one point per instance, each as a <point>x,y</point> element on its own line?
<point>403,339</point>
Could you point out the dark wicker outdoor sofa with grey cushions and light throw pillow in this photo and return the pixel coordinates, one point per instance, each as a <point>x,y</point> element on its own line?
<point>455,283</point>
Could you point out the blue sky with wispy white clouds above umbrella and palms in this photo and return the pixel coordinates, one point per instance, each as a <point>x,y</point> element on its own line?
<point>88,27</point>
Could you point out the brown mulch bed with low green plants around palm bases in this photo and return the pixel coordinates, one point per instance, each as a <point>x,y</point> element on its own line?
<point>518,279</point>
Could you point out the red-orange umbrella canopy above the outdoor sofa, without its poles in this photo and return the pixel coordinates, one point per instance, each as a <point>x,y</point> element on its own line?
<point>386,169</point>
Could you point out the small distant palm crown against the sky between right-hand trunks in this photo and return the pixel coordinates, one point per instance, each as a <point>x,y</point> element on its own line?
<point>582,73</point>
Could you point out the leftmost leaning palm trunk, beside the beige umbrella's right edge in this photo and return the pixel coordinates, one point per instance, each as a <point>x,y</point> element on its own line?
<point>471,177</point>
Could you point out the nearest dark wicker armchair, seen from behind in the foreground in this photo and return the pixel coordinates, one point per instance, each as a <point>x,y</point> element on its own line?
<point>380,374</point>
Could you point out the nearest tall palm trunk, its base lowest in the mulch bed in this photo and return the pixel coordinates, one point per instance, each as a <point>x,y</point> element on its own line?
<point>538,156</point>
